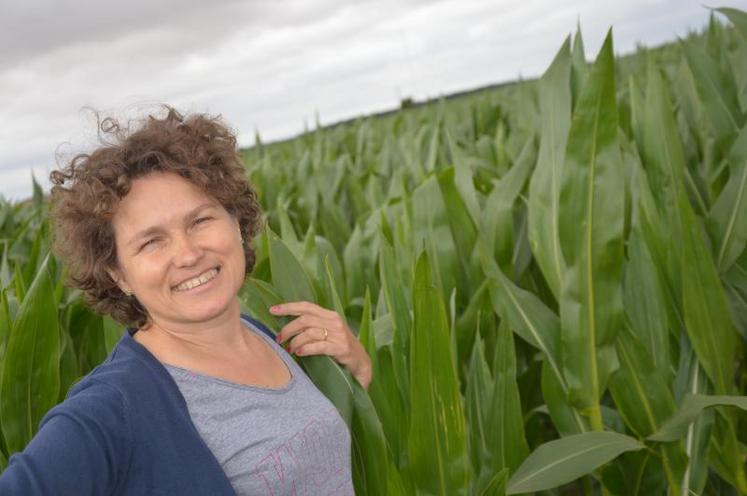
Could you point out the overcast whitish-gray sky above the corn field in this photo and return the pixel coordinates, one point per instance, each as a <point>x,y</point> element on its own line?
<point>272,65</point>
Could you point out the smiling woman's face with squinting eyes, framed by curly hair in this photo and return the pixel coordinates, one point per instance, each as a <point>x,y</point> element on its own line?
<point>179,251</point>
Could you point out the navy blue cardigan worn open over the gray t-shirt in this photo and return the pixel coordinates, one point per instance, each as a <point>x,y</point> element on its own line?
<point>123,429</point>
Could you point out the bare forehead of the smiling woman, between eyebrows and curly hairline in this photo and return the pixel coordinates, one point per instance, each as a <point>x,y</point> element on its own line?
<point>158,198</point>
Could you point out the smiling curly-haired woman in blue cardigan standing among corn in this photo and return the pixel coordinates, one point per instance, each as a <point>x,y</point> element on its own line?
<point>195,398</point>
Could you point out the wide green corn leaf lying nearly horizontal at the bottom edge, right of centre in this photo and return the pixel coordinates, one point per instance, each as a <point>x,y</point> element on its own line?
<point>564,460</point>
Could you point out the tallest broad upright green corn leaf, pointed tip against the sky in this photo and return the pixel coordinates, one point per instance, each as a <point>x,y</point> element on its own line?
<point>591,238</point>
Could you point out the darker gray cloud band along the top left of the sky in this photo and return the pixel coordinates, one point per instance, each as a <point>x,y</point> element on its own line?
<point>38,28</point>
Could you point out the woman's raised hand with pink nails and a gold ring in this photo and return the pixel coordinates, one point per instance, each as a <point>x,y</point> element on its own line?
<point>318,331</point>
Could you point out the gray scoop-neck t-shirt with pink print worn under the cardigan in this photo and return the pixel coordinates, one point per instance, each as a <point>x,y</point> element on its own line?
<point>273,441</point>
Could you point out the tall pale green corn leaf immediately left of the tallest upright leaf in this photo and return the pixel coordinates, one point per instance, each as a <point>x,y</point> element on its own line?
<point>544,188</point>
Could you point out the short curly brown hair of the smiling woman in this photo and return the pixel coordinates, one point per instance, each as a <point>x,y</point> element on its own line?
<point>86,192</point>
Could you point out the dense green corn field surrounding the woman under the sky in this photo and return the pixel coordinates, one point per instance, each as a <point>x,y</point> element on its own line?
<point>550,278</point>
